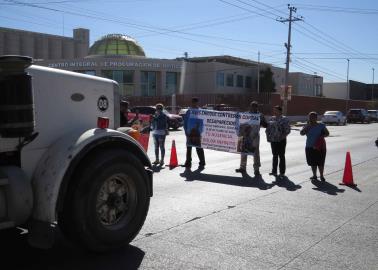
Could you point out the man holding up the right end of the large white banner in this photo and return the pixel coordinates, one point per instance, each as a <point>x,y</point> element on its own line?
<point>254,138</point>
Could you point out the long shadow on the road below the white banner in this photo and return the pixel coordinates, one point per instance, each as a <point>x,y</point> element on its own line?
<point>244,181</point>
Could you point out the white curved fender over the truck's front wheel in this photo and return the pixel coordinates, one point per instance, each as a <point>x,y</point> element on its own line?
<point>58,163</point>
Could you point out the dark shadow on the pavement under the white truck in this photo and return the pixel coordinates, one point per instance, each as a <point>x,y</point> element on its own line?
<point>17,254</point>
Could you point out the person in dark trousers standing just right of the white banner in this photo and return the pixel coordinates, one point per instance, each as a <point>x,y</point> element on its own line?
<point>276,133</point>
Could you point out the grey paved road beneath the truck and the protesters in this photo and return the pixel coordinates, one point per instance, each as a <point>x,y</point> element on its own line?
<point>216,219</point>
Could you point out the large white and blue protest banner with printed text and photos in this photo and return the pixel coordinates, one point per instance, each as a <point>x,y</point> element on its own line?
<point>227,131</point>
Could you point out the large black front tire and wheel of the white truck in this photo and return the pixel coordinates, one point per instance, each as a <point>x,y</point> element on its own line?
<point>107,202</point>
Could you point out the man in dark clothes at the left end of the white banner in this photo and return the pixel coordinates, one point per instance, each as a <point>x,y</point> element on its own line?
<point>200,152</point>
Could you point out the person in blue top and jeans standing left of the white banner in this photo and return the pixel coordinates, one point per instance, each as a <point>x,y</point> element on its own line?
<point>159,132</point>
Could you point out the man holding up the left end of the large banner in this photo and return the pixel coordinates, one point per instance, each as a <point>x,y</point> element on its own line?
<point>193,138</point>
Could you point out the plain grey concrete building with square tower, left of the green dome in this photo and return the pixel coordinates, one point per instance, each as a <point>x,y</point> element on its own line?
<point>44,46</point>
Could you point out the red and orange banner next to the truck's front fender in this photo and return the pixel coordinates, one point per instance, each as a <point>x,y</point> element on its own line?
<point>141,124</point>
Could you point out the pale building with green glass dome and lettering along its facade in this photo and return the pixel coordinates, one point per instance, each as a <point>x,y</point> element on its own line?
<point>120,57</point>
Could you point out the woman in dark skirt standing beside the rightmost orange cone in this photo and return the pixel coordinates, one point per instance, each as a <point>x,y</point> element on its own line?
<point>315,145</point>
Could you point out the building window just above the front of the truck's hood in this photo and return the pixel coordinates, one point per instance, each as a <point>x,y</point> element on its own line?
<point>125,79</point>
